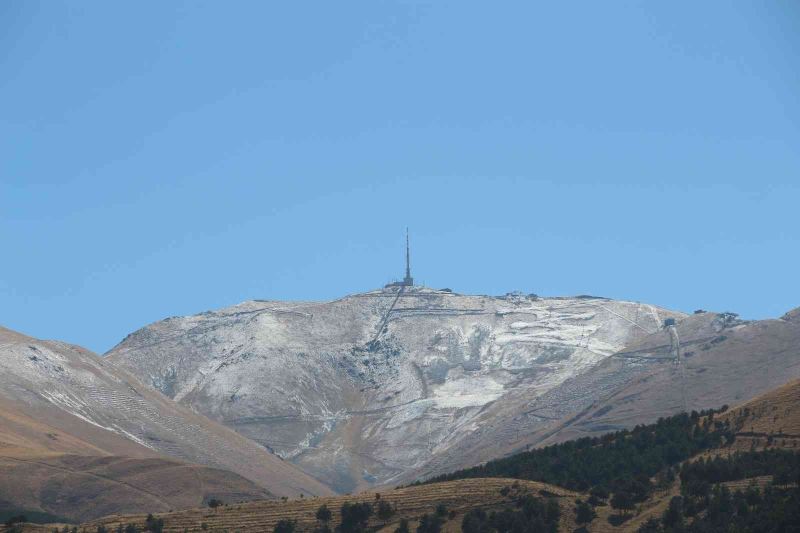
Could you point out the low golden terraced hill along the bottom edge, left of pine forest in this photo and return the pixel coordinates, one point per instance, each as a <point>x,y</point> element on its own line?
<point>410,503</point>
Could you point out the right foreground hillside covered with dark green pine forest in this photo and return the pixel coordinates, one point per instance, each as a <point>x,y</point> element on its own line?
<point>711,471</point>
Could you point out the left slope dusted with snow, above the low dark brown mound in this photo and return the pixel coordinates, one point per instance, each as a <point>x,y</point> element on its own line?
<point>61,398</point>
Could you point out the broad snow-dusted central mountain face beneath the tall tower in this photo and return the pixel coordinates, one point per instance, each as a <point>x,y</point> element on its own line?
<point>364,390</point>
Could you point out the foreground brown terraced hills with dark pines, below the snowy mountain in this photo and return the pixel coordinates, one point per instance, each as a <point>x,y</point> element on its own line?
<point>589,471</point>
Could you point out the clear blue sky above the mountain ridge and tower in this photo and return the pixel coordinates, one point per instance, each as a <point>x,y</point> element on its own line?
<point>161,158</point>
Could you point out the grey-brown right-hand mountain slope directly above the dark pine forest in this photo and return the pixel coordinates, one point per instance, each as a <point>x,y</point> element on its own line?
<point>725,361</point>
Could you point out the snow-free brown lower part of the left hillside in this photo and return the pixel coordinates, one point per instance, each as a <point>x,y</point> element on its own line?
<point>43,468</point>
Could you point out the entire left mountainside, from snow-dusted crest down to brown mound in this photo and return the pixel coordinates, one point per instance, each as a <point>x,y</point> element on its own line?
<point>81,437</point>
